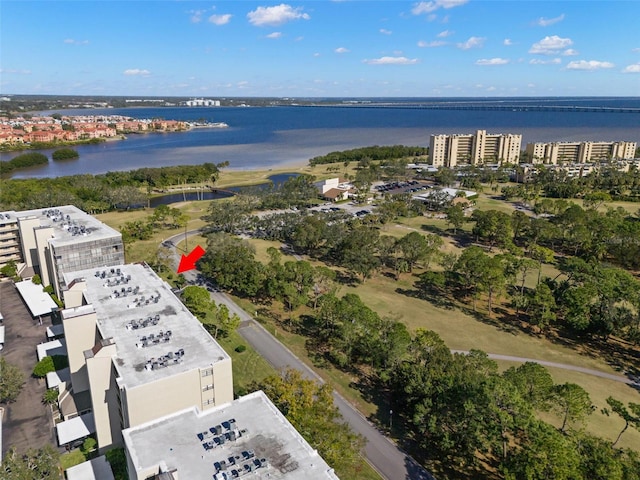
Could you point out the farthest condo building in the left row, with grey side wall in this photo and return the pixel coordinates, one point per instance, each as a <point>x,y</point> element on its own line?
<point>56,240</point>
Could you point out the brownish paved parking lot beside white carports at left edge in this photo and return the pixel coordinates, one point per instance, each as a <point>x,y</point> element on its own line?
<point>27,423</point>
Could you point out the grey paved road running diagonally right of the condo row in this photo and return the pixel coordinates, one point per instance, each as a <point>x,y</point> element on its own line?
<point>389,460</point>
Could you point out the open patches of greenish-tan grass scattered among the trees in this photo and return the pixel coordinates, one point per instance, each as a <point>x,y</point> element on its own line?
<point>460,329</point>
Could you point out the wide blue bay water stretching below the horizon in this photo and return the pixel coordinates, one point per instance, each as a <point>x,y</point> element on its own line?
<point>261,138</point>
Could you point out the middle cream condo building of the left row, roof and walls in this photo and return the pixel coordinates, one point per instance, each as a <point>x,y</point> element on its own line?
<point>135,352</point>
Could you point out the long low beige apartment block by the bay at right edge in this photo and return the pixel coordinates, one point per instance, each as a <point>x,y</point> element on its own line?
<point>579,152</point>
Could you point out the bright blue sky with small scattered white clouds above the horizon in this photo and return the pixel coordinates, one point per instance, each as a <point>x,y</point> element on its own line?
<point>437,48</point>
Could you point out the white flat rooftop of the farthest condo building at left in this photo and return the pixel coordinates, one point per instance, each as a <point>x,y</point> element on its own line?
<point>71,225</point>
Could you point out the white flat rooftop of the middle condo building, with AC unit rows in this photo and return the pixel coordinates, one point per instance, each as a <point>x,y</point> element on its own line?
<point>147,322</point>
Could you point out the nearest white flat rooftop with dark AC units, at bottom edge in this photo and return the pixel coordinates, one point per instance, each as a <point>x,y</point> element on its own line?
<point>265,446</point>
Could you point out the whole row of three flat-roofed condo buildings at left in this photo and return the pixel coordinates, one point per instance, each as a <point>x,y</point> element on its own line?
<point>143,372</point>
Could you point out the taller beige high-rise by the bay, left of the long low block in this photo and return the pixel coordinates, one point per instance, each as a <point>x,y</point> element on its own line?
<point>453,150</point>
